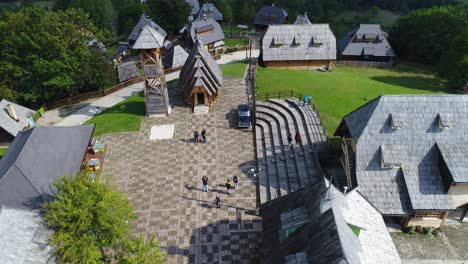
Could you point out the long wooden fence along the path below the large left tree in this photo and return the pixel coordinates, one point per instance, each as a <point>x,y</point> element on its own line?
<point>81,97</point>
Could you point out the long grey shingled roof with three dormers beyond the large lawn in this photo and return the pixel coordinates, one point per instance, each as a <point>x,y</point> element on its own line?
<point>299,42</point>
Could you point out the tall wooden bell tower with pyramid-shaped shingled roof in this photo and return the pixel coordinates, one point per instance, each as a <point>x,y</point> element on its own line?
<point>149,43</point>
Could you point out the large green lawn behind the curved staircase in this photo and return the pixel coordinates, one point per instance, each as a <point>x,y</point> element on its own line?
<point>344,89</point>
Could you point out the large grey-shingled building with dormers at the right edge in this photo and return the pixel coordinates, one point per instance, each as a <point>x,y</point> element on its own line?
<point>408,155</point>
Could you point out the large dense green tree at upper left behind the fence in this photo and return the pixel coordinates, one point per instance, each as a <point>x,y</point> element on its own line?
<point>45,56</point>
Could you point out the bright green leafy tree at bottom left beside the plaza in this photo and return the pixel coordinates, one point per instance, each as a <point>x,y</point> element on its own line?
<point>92,222</point>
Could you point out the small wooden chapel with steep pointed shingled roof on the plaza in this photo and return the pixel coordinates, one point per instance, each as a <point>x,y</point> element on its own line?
<point>200,78</point>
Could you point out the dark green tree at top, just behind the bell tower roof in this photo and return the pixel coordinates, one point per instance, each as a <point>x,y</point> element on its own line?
<point>171,15</point>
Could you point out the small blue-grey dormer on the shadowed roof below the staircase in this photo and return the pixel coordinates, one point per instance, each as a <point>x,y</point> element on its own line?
<point>292,220</point>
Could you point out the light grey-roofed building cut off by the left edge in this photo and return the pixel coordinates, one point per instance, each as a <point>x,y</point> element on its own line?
<point>13,119</point>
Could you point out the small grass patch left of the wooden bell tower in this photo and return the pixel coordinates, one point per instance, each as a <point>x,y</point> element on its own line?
<point>125,116</point>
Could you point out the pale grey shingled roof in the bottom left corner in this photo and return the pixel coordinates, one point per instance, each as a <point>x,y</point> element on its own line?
<point>24,239</point>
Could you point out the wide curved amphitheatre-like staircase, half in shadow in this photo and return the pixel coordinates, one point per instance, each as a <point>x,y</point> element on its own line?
<point>284,168</point>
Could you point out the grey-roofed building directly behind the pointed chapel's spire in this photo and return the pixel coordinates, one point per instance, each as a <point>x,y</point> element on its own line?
<point>210,32</point>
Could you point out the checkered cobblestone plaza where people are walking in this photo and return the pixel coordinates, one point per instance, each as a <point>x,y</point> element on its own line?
<point>163,180</point>
